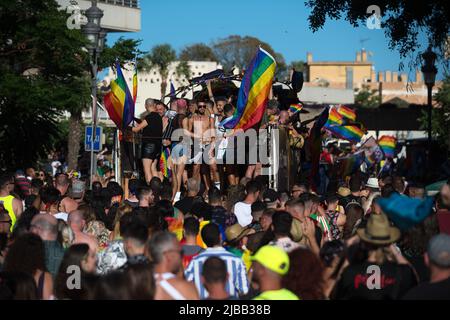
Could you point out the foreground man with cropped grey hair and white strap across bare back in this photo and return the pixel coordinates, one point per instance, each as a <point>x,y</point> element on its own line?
<point>165,252</point>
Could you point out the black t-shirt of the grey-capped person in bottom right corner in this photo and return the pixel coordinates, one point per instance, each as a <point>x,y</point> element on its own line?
<point>430,291</point>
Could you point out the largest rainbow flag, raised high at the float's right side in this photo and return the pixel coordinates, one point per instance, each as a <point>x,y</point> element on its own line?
<point>254,92</point>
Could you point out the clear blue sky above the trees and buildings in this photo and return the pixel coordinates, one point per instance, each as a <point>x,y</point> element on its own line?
<point>283,24</point>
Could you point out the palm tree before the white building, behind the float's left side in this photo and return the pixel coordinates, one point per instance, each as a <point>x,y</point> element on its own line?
<point>160,57</point>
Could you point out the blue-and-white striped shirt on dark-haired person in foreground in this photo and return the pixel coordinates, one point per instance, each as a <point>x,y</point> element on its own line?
<point>237,275</point>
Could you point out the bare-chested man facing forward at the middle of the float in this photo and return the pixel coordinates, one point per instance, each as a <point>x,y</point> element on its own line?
<point>202,127</point>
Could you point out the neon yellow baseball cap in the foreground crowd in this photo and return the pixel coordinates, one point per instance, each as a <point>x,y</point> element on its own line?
<point>273,258</point>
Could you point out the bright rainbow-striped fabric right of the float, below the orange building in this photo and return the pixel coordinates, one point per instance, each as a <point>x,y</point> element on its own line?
<point>341,126</point>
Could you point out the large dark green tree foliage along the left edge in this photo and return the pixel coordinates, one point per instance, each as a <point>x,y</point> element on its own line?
<point>42,68</point>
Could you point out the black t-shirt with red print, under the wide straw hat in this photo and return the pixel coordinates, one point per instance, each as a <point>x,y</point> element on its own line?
<point>395,281</point>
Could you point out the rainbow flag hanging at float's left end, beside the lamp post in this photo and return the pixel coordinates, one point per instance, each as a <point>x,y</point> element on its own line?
<point>118,102</point>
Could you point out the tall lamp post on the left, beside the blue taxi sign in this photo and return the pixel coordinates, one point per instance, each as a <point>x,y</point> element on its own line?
<point>96,40</point>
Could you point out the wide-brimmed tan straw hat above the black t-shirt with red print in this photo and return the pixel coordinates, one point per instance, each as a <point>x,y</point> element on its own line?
<point>378,230</point>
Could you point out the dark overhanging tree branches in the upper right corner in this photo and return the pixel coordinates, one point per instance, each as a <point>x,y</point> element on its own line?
<point>400,20</point>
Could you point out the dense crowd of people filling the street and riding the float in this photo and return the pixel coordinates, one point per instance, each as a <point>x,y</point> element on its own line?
<point>211,232</point>
